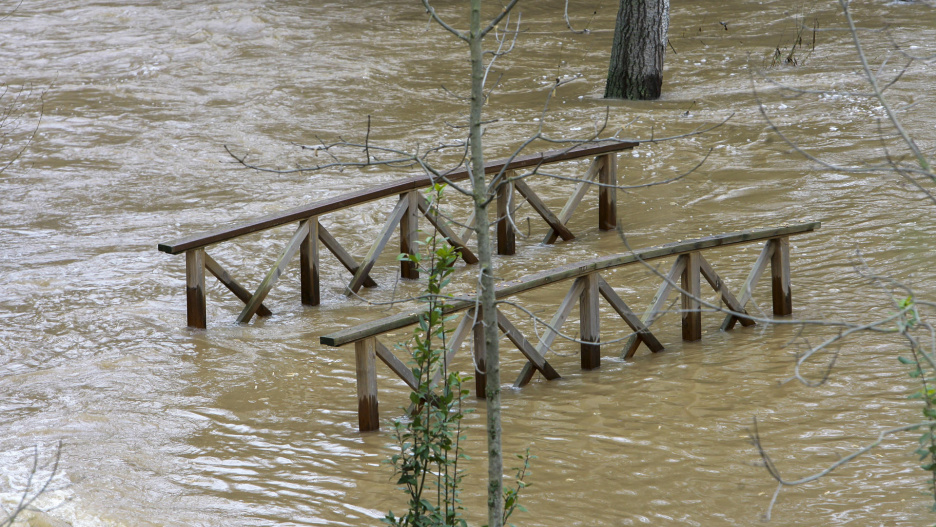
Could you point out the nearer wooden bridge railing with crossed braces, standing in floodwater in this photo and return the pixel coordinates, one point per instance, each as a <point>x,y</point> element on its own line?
<point>689,267</point>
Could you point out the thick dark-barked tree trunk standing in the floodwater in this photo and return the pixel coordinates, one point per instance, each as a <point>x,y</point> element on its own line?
<point>636,70</point>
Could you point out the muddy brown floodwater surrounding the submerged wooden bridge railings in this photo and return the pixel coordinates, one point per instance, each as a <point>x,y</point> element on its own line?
<point>256,425</point>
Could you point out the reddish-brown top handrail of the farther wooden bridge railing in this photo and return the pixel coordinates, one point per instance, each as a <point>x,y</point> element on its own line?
<point>378,192</point>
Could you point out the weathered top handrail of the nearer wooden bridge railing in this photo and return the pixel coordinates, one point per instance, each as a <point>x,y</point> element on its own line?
<point>384,325</point>
